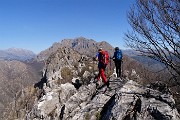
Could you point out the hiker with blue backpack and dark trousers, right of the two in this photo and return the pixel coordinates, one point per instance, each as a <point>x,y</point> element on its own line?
<point>117,58</point>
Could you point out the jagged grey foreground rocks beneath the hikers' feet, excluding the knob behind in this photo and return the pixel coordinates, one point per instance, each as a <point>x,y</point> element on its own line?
<point>126,101</point>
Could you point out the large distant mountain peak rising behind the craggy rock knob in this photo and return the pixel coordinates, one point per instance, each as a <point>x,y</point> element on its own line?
<point>82,45</point>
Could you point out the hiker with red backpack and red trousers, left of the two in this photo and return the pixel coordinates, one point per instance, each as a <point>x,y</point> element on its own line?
<point>103,58</point>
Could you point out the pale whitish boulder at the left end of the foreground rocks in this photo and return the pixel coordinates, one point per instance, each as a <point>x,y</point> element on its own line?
<point>51,102</point>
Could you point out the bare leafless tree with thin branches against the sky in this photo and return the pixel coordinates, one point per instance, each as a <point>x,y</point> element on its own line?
<point>156,32</point>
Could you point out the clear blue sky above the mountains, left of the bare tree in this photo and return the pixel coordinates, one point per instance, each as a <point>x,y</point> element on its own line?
<point>36,24</point>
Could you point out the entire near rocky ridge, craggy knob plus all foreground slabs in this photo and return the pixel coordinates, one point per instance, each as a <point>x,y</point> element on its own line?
<point>69,92</point>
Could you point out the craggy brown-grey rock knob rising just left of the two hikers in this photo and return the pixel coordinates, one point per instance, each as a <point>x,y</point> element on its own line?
<point>64,65</point>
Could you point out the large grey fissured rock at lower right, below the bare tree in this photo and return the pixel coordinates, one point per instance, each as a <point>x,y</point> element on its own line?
<point>152,107</point>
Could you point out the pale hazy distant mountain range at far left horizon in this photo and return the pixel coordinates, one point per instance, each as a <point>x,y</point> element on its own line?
<point>16,54</point>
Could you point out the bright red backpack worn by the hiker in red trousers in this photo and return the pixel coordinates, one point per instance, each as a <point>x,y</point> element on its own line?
<point>104,57</point>
